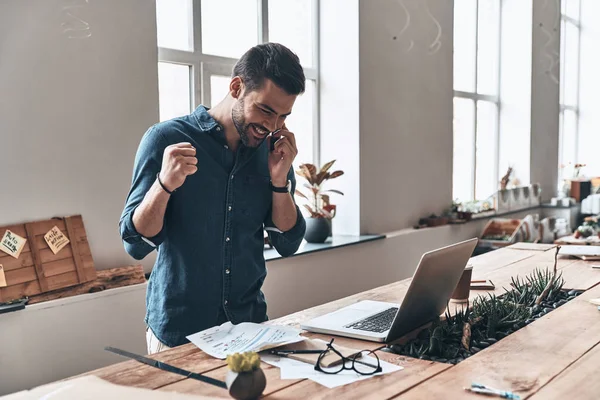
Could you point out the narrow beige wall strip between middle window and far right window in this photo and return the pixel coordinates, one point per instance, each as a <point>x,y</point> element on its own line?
<point>545,96</point>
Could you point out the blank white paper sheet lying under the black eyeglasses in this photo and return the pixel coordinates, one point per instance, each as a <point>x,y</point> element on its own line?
<point>294,369</point>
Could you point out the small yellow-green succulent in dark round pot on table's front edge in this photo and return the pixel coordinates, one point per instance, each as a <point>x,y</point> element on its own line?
<point>245,379</point>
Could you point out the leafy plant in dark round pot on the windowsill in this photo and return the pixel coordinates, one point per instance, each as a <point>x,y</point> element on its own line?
<point>321,211</point>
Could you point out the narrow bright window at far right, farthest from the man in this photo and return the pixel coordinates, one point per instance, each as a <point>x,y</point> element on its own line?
<point>569,87</point>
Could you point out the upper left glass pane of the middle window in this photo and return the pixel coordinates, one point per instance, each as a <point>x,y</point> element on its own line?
<point>465,24</point>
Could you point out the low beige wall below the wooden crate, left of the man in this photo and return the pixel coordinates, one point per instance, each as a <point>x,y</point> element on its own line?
<point>49,341</point>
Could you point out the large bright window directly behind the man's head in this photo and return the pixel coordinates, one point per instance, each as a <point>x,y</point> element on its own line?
<point>198,47</point>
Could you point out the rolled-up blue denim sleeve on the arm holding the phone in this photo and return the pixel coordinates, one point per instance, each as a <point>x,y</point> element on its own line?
<point>287,243</point>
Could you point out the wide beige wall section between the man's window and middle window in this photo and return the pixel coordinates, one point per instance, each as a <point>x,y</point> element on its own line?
<point>405,112</point>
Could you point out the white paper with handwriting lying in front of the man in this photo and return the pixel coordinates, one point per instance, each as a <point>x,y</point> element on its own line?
<point>226,339</point>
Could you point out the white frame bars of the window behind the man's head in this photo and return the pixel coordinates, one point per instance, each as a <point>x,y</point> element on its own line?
<point>202,66</point>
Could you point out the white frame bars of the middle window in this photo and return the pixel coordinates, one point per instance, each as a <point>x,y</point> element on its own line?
<point>475,96</point>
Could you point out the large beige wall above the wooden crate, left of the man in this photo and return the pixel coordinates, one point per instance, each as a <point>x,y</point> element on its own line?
<point>72,111</point>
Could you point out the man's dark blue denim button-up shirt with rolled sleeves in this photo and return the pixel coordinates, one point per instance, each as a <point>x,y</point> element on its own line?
<point>210,250</point>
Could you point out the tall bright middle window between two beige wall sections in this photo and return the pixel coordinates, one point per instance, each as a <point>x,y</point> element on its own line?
<point>476,98</point>
